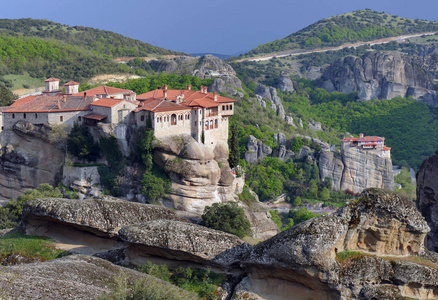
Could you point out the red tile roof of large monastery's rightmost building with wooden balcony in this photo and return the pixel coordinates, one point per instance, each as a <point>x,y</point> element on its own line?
<point>191,98</point>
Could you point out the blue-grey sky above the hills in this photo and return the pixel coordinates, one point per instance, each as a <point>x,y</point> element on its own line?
<point>222,26</point>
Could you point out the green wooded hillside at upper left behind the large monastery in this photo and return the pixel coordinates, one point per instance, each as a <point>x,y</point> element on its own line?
<point>37,49</point>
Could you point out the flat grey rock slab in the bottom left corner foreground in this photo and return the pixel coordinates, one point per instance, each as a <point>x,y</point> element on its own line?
<point>71,277</point>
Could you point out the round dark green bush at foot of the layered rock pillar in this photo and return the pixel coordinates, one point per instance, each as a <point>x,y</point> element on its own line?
<point>226,217</point>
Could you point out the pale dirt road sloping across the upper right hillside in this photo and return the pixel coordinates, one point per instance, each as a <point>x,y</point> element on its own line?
<point>371,43</point>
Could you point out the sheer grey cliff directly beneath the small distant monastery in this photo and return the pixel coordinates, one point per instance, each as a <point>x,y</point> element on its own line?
<point>356,169</point>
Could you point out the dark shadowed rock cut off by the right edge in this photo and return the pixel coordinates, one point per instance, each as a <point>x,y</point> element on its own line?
<point>427,197</point>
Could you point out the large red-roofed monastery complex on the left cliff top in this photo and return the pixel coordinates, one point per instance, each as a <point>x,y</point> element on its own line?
<point>172,112</point>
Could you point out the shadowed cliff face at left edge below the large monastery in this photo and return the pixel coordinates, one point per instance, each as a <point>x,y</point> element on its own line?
<point>24,159</point>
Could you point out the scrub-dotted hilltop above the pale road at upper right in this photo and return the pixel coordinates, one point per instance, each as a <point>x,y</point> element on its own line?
<point>360,25</point>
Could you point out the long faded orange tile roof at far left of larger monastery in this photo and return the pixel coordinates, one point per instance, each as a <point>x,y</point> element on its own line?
<point>50,103</point>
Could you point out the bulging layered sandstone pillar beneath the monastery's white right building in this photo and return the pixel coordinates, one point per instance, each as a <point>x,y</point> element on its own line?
<point>200,175</point>
